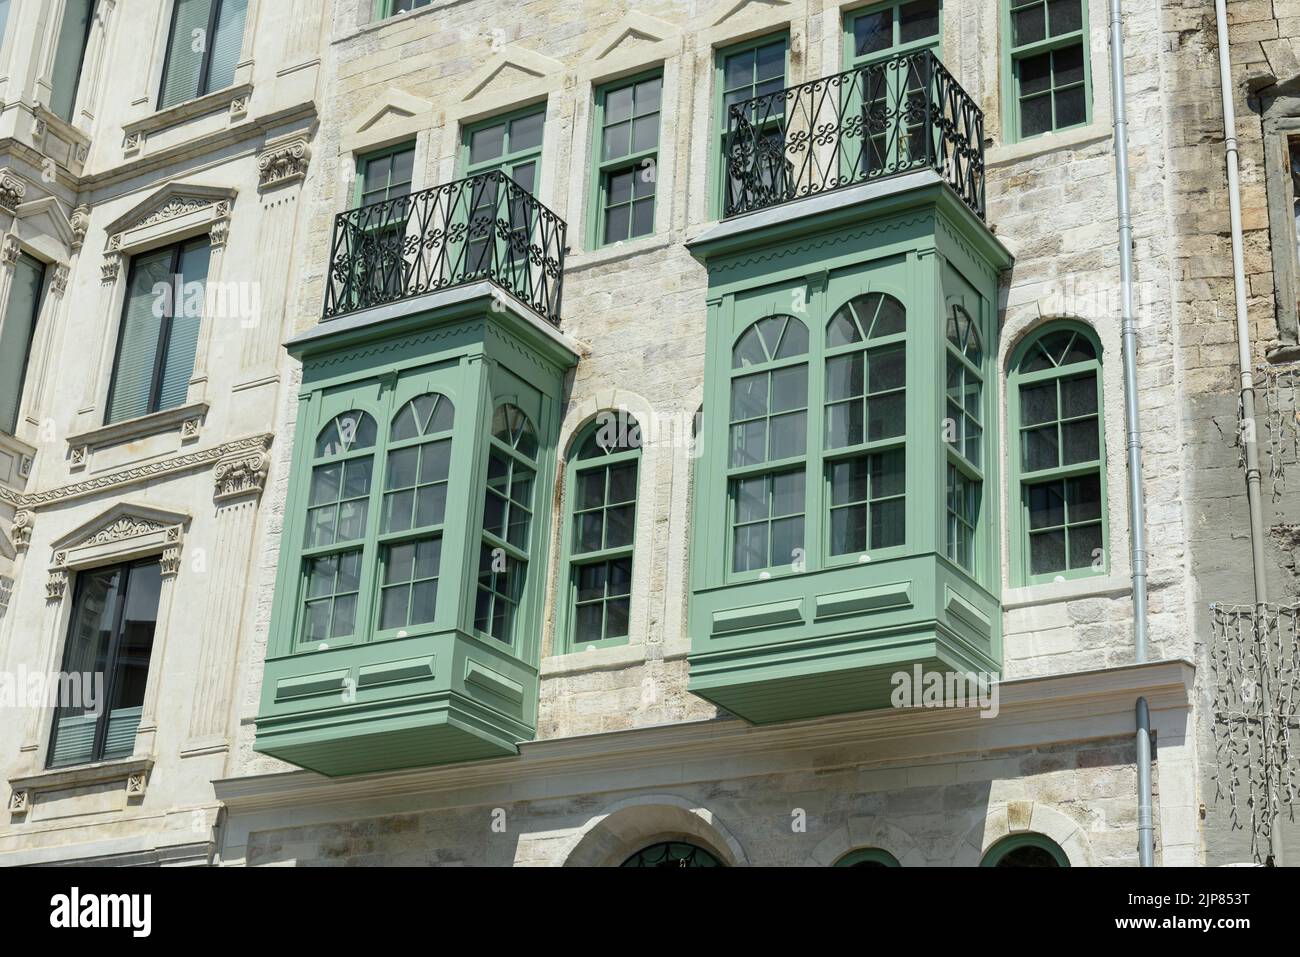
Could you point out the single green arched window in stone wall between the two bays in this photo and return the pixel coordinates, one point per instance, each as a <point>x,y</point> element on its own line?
<point>603,495</point>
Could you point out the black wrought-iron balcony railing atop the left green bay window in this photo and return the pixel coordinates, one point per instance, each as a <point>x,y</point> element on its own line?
<point>486,227</point>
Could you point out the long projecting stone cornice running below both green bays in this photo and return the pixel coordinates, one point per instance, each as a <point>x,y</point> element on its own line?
<point>1034,712</point>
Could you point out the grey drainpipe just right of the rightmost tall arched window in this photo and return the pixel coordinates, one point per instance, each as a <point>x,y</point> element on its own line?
<point>1137,504</point>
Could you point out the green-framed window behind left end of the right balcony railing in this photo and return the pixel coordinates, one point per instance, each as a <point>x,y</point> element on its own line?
<point>743,72</point>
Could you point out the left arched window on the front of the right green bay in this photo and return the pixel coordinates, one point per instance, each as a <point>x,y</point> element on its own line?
<point>766,462</point>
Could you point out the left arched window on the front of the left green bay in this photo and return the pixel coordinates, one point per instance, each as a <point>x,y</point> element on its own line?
<point>337,509</point>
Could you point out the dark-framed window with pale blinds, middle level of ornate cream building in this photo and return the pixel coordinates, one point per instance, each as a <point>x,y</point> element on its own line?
<point>166,293</point>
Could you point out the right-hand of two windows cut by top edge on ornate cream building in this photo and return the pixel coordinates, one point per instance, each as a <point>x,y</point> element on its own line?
<point>203,49</point>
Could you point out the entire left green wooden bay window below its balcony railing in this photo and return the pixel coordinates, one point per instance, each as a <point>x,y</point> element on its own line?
<point>408,620</point>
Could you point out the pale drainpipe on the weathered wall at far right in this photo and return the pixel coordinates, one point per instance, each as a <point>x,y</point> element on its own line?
<point>1243,353</point>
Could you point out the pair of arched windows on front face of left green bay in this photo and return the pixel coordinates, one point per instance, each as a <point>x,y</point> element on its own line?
<point>376,509</point>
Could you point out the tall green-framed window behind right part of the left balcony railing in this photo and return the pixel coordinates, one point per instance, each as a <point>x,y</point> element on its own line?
<point>513,146</point>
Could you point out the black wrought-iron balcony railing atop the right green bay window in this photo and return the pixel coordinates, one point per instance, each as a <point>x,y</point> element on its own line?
<point>878,122</point>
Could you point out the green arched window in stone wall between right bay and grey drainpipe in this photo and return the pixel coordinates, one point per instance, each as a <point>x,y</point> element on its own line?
<point>1059,460</point>
